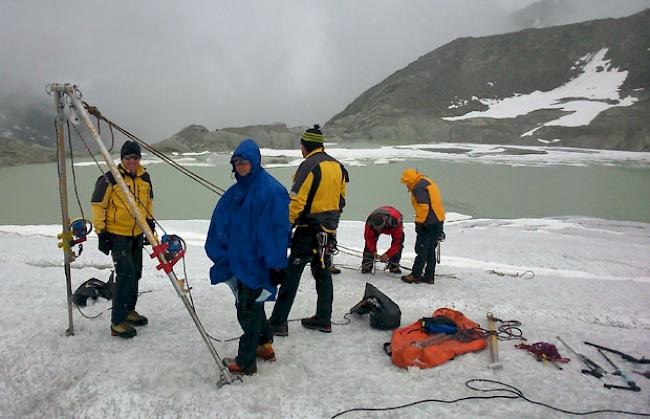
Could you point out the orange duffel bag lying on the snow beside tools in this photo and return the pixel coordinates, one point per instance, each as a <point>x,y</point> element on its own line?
<point>412,346</point>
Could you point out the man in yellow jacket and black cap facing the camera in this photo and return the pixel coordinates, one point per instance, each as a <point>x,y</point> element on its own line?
<point>119,234</point>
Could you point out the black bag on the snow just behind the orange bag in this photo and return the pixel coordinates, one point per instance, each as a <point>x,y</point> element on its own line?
<point>384,313</point>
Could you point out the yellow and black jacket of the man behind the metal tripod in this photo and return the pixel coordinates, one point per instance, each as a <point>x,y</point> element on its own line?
<point>111,212</point>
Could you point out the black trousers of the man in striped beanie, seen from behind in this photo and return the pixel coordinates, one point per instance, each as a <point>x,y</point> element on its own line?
<point>304,249</point>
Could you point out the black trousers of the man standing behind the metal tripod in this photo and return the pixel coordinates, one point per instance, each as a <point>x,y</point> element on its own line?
<point>126,252</point>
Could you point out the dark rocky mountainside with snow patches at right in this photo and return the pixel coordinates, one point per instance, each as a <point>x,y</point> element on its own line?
<point>473,74</point>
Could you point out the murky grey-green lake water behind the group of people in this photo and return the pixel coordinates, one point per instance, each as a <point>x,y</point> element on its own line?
<point>31,196</point>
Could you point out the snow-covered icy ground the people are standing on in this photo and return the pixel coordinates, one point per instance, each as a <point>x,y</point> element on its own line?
<point>592,282</point>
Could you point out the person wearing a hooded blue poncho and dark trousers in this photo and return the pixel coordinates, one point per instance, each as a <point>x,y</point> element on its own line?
<point>247,241</point>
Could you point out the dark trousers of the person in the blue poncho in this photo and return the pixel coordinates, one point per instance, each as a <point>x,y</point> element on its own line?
<point>252,319</point>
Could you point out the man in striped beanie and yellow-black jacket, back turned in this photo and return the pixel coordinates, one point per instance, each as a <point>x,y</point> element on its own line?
<point>317,200</point>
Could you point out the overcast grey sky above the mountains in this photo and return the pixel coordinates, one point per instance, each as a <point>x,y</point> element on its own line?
<point>157,66</point>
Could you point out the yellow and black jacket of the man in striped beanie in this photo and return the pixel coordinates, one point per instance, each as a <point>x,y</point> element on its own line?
<point>318,191</point>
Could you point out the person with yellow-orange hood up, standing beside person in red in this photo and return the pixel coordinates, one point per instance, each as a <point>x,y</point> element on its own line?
<point>429,220</point>
